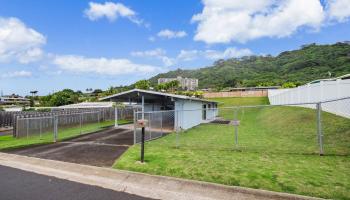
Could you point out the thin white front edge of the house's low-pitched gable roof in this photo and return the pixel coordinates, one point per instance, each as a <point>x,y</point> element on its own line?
<point>149,92</point>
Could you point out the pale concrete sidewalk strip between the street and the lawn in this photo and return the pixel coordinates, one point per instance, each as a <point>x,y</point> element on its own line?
<point>157,187</point>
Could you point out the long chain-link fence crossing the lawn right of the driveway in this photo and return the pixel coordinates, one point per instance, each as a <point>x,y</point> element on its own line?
<point>289,128</point>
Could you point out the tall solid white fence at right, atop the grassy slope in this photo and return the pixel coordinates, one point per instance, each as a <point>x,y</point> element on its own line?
<point>317,92</point>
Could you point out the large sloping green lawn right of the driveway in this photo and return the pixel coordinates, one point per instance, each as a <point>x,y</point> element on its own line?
<point>277,151</point>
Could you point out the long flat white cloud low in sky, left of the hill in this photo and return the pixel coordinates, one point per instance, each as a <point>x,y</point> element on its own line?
<point>103,66</point>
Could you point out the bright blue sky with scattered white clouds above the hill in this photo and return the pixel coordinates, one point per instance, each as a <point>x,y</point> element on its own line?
<point>52,45</point>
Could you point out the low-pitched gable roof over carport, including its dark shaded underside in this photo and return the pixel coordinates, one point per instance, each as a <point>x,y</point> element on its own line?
<point>136,93</point>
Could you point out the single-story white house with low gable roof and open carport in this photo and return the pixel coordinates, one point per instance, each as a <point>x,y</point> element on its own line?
<point>187,111</point>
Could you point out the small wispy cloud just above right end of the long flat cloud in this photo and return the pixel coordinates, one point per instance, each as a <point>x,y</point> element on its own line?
<point>155,53</point>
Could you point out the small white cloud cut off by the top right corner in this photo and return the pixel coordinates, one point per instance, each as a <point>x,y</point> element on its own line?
<point>339,9</point>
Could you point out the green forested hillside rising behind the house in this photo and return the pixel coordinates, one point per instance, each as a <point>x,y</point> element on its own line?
<point>299,66</point>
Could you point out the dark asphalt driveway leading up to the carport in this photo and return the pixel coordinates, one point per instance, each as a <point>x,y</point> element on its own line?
<point>97,149</point>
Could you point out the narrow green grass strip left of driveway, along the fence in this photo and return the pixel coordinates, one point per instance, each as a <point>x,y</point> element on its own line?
<point>9,142</point>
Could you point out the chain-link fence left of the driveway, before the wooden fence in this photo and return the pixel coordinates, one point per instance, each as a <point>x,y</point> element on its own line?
<point>67,122</point>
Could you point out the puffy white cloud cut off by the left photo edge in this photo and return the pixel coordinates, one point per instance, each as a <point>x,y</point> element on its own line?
<point>19,42</point>
